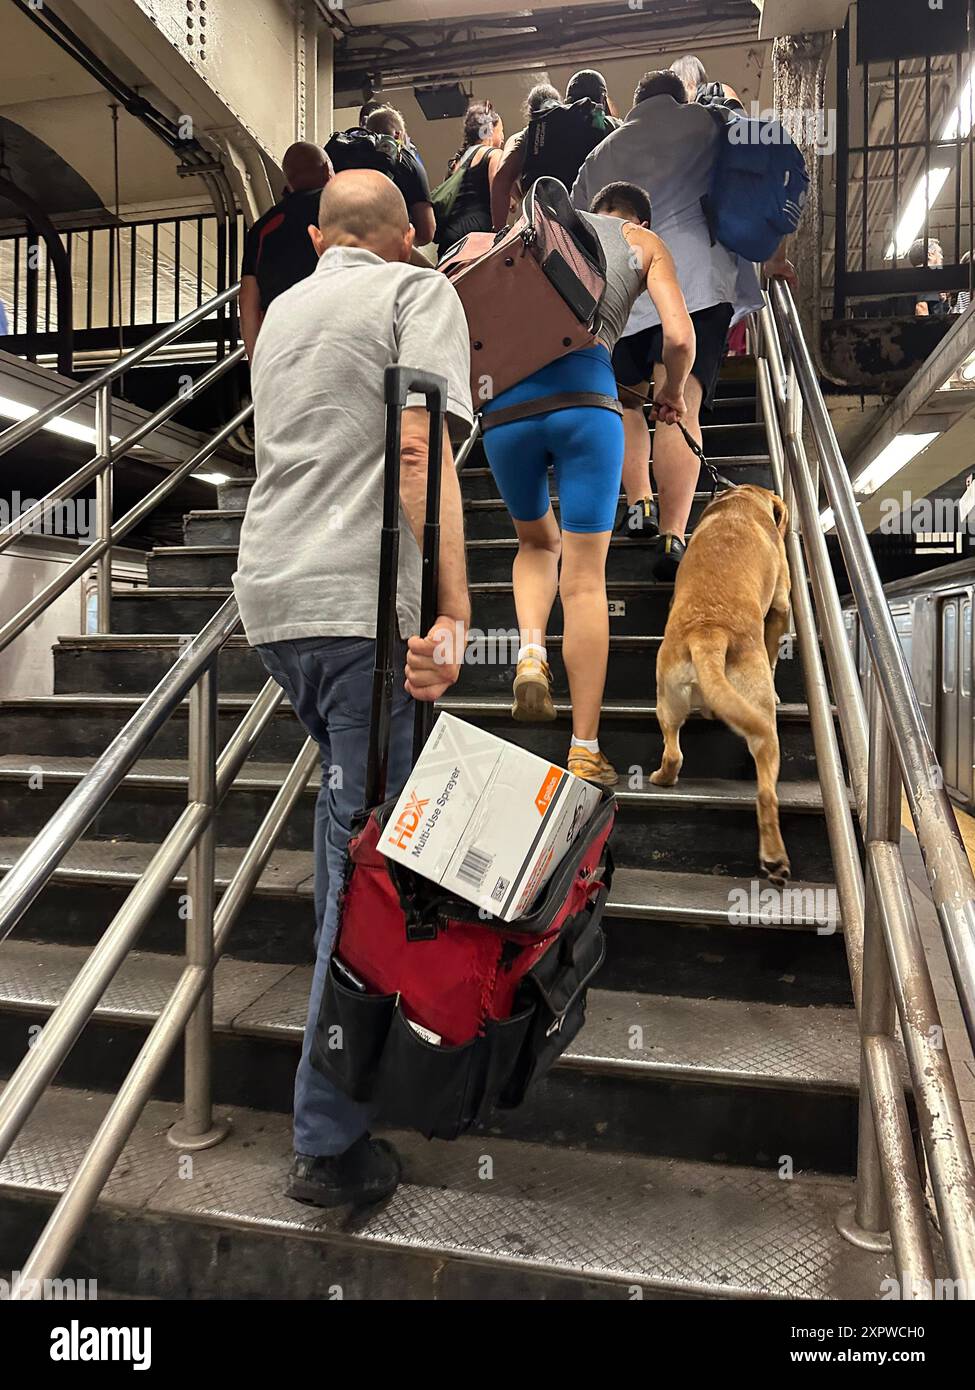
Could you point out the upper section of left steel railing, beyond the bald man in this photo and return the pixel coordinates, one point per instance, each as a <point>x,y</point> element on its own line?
<point>108,457</point>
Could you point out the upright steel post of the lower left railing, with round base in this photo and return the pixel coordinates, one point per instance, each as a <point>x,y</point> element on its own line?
<point>198,1128</point>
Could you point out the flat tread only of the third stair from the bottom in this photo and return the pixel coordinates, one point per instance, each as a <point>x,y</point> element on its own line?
<point>650,894</point>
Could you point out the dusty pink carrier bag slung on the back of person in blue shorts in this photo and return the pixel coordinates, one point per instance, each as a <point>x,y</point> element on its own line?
<point>531,294</point>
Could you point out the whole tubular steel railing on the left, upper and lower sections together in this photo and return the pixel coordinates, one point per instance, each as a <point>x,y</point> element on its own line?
<point>193,839</point>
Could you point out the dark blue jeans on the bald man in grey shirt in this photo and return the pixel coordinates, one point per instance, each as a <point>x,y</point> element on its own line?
<point>329,682</point>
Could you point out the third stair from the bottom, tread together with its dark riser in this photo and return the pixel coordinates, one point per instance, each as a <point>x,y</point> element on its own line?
<point>671,933</point>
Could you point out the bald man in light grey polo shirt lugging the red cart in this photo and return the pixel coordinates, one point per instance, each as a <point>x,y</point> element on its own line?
<point>308,568</point>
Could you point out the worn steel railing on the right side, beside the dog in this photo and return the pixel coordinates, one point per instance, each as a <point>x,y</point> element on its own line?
<point>887,749</point>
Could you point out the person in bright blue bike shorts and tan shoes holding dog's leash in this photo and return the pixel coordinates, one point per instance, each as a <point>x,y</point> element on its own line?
<point>585,447</point>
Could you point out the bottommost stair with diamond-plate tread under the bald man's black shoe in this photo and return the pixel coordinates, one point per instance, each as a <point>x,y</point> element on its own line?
<point>551,1224</point>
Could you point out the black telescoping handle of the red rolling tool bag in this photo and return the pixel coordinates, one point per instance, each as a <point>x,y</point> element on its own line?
<point>400,383</point>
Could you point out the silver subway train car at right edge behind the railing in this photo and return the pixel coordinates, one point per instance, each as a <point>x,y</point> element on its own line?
<point>934,618</point>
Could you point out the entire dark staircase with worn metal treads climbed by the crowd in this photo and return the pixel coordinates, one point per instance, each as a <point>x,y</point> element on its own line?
<point>699,1138</point>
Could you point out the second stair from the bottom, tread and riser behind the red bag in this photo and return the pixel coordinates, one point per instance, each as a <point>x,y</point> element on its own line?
<point>706,1079</point>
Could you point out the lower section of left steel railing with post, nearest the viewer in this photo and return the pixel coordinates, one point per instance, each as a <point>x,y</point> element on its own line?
<point>190,1008</point>
